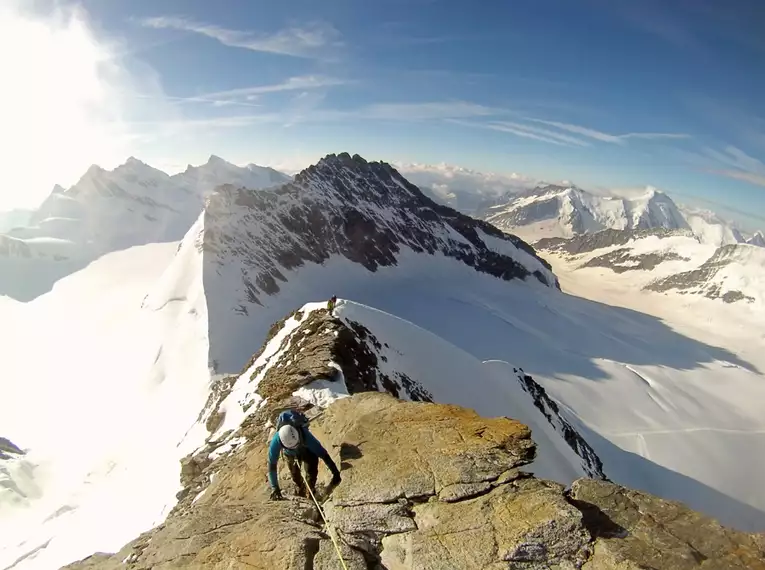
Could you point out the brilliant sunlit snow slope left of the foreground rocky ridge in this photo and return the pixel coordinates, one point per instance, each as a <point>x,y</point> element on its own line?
<point>114,388</point>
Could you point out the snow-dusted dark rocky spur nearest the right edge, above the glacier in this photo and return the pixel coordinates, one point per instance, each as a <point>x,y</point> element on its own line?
<point>701,281</point>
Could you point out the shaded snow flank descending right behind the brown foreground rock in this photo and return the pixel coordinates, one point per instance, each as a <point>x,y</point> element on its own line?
<point>414,364</point>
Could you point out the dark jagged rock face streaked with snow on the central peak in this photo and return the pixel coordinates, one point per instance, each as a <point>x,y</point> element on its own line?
<point>364,211</point>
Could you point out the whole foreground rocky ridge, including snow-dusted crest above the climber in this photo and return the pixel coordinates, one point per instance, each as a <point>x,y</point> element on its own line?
<point>425,485</point>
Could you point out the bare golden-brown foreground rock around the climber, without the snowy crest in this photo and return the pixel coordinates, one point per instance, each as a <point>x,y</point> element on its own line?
<point>430,486</point>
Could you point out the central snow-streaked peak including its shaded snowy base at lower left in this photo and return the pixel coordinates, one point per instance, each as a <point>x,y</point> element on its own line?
<point>339,221</point>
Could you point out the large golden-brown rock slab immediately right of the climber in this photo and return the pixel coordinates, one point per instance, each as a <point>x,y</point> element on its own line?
<point>415,449</point>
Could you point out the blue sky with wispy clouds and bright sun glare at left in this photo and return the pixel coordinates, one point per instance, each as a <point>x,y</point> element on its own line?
<point>605,93</point>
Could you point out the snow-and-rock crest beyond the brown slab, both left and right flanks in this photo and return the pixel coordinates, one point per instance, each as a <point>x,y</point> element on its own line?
<point>365,349</point>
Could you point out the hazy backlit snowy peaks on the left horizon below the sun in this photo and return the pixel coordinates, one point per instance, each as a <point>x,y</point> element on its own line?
<point>106,211</point>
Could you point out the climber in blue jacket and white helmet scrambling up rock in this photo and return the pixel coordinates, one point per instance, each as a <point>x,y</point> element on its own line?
<point>300,447</point>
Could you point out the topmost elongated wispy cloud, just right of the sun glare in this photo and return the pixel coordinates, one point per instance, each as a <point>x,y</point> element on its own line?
<point>310,41</point>
